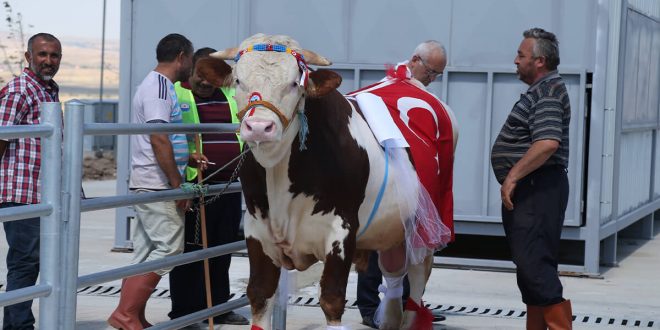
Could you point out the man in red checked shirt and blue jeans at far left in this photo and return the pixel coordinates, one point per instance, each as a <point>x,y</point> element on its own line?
<point>20,162</point>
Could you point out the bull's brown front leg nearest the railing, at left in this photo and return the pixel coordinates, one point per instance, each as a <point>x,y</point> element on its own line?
<point>264,277</point>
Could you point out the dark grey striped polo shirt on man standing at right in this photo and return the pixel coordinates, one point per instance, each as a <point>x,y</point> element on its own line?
<point>542,113</point>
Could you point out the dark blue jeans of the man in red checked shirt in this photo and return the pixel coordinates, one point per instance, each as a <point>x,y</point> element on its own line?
<point>22,267</point>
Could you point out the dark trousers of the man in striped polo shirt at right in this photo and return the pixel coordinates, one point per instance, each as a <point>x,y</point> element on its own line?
<point>533,231</point>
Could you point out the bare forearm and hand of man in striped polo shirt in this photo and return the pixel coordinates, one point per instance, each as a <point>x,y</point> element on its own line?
<point>536,155</point>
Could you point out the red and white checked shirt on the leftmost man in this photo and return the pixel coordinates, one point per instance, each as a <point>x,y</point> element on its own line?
<point>20,165</point>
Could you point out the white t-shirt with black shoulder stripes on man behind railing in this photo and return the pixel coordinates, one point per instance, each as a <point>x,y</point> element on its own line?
<point>155,100</point>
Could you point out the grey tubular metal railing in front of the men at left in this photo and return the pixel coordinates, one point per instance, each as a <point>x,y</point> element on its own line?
<point>61,207</point>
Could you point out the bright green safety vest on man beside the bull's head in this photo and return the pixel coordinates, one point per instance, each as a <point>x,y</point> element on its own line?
<point>190,116</point>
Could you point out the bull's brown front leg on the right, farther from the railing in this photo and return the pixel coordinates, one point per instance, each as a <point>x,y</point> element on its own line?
<point>334,280</point>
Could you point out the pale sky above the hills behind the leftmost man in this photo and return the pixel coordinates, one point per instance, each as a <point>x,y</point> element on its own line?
<point>67,18</point>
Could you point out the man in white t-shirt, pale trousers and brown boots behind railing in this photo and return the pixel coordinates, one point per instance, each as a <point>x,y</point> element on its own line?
<point>157,163</point>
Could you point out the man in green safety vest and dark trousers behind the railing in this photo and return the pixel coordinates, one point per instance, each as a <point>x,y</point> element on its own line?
<point>202,100</point>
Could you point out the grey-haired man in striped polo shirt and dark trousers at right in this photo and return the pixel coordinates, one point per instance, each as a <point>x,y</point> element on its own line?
<point>529,159</point>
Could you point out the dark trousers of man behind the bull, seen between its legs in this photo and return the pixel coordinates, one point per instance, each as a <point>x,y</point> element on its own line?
<point>367,288</point>
